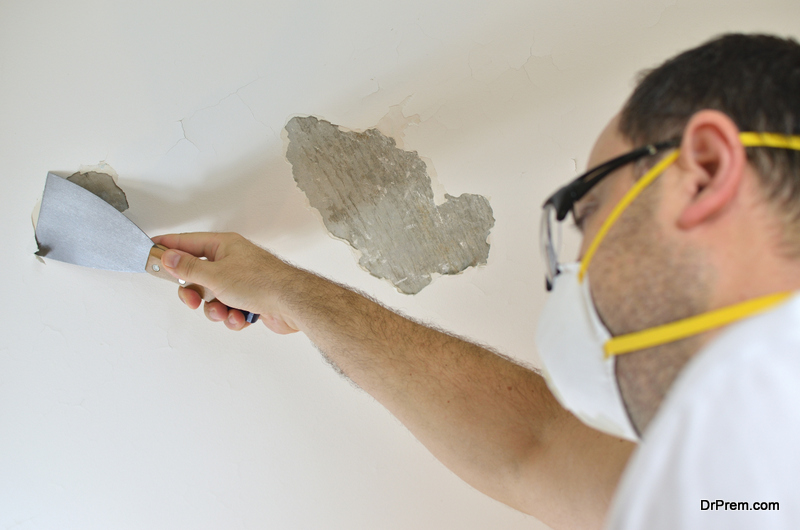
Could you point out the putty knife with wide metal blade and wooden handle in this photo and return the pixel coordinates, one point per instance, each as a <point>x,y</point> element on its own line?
<point>76,226</point>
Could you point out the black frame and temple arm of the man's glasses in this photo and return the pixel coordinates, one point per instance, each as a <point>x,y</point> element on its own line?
<point>564,199</point>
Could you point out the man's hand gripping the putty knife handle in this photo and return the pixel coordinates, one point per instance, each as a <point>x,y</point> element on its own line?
<point>239,273</point>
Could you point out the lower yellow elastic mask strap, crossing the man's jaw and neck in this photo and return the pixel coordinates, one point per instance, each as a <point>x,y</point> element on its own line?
<point>689,327</point>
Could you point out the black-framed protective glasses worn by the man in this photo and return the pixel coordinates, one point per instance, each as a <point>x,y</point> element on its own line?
<point>562,202</point>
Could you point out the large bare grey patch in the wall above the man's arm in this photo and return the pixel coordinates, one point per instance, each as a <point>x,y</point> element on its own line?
<point>379,198</point>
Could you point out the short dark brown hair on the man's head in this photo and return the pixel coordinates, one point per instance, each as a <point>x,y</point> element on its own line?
<point>754,79</point>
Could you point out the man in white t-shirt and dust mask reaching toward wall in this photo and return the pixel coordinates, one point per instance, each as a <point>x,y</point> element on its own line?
<point>691,240</point>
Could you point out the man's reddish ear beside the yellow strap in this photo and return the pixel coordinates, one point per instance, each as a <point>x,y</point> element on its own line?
<point>714,159</point>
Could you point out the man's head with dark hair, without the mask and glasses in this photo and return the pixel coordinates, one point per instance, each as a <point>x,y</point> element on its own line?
<point>721,225</point>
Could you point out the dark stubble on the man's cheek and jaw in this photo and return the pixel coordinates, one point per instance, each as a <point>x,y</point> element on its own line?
<point>642,277</point>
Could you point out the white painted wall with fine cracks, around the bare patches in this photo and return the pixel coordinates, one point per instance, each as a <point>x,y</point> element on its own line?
<point>120,408</point>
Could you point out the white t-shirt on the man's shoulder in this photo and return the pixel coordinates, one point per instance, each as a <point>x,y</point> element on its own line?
<point>728,432</point>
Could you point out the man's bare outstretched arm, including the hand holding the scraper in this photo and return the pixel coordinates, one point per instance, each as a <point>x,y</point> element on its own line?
<point>491,421</point>
